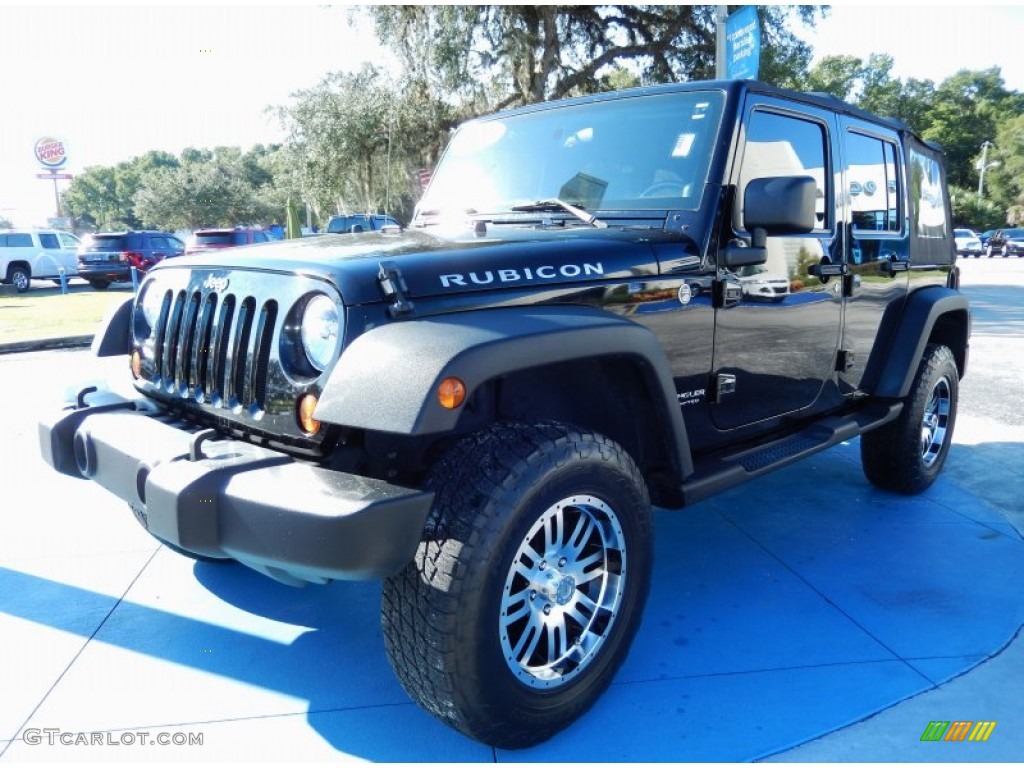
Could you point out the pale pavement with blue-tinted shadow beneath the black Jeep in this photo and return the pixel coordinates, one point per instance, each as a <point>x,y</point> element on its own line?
<point>802,618</point>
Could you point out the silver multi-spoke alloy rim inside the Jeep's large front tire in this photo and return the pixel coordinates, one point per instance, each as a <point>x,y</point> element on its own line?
<point>564,592</point>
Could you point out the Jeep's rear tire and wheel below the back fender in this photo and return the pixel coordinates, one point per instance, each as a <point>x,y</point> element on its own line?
<point>907,455</point>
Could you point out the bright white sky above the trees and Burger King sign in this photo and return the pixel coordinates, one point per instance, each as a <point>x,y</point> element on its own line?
<point>116,81</point>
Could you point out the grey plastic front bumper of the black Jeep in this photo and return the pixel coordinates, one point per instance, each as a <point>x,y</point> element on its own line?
<point>294,522</point>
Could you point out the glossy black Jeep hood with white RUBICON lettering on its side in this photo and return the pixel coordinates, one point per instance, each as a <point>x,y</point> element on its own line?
<point>434,265</point>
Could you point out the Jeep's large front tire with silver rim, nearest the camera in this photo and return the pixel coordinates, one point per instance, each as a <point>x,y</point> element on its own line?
<point>528,587</point>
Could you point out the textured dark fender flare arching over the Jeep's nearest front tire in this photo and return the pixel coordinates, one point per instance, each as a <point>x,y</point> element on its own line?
<point>388,378</point>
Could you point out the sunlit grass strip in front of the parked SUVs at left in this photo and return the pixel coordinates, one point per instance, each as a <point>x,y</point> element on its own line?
<point>44,313</point>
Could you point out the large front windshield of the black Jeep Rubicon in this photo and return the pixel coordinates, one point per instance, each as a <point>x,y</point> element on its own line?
<point>642,153</point>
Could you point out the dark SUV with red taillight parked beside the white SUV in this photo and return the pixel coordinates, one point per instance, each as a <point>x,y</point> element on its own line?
<point>109,258</point>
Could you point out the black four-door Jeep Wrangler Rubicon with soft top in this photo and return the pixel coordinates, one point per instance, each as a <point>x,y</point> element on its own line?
<point>483,408</point>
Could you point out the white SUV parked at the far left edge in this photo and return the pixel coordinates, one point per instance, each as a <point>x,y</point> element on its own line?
<point>36,254</point>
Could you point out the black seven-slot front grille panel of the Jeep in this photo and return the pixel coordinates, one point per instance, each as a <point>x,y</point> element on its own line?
<point>222,345</point>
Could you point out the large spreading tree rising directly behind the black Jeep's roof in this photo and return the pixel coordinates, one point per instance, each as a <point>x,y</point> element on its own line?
<point>502,56</point>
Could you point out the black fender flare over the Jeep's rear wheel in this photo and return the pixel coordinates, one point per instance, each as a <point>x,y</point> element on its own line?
<point>922,313</point>
